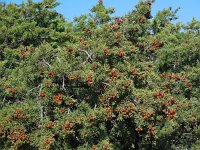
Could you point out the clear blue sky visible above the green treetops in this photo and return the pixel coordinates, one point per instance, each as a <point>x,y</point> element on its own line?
<point>72,8</point>
